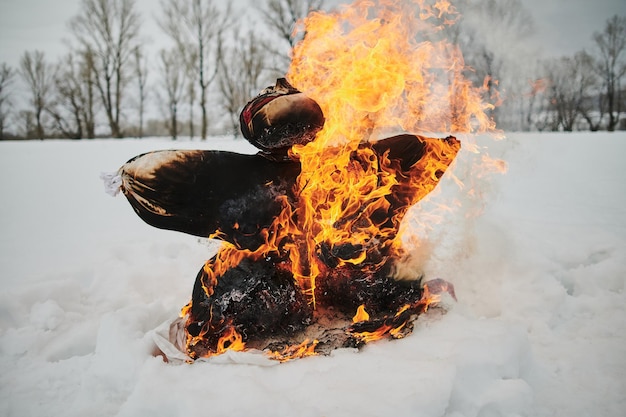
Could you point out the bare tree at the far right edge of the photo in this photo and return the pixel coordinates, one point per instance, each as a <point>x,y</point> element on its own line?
<point>611,64</point>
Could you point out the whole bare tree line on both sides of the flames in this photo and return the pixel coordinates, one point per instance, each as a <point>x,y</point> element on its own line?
<point>107,80</point>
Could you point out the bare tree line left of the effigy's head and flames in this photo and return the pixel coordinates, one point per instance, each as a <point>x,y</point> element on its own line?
<point>104,83</point>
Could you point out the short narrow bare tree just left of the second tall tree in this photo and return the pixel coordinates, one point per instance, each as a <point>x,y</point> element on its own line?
<point>173,75</point>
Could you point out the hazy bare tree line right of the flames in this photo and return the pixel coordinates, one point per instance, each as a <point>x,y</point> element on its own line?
<point>585,91</point>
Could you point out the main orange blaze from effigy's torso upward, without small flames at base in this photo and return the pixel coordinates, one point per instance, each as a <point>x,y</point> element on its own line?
<point>371,75</point>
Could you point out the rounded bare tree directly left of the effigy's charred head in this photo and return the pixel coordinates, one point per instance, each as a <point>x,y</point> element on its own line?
<point>240,77</point>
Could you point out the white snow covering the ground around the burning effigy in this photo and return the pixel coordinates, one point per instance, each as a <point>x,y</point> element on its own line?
<point>538,329</point>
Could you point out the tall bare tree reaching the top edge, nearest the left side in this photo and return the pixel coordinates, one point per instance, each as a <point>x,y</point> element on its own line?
<point>110,29</point>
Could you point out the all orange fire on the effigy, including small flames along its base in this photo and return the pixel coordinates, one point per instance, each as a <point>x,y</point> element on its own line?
<point>375,68</point>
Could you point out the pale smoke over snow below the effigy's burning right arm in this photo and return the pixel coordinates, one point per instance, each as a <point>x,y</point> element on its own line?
<point>440,232</point>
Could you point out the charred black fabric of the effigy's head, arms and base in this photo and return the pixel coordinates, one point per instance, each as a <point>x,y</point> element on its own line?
<point>237,198</point>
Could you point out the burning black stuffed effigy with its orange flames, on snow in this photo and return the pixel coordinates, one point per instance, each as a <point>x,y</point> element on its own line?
<point>311,224</point>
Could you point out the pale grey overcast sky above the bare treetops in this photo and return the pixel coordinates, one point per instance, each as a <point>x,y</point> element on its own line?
<point>563,26</point>
